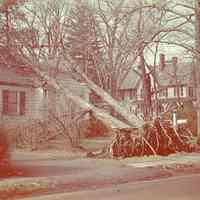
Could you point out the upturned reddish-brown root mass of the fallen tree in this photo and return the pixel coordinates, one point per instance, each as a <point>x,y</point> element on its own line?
<point>154,139</point>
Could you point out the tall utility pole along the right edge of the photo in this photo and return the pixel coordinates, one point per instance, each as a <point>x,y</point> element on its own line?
<point>197,58</point>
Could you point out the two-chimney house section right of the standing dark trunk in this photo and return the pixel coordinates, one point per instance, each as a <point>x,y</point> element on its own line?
<point>175,84</point>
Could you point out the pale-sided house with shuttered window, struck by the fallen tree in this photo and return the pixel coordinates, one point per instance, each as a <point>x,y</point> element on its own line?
<point>23,97</point>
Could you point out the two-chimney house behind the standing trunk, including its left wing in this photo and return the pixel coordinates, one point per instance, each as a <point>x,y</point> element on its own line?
<point>172,88</point>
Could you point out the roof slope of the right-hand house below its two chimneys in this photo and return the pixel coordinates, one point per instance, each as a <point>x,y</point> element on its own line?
<point>182,72</point>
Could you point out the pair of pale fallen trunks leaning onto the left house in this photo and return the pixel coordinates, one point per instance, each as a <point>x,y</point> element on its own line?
<point>133,121</point>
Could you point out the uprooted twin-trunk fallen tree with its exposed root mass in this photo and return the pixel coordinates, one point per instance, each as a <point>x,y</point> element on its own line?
<point>151,139</point>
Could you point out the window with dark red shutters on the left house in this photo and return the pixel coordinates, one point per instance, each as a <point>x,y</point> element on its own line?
<point>13,102</point>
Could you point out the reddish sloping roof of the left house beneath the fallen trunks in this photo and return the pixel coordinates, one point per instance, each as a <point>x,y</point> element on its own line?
<point>15,72</point>
